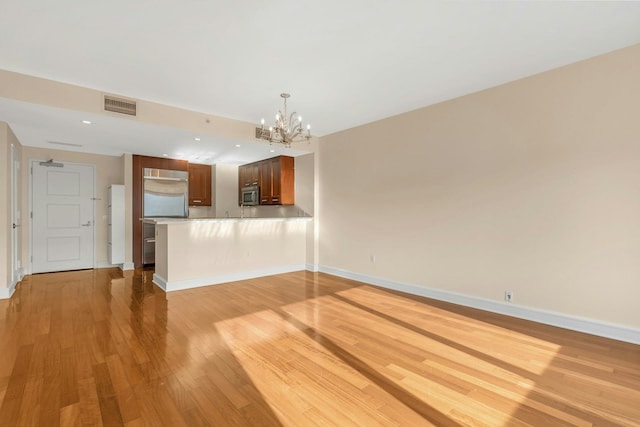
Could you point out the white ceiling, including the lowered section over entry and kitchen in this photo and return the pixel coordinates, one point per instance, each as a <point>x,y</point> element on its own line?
<point>345,63</point>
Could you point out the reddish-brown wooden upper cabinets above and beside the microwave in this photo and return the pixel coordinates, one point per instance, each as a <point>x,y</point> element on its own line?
<point>274,176</point>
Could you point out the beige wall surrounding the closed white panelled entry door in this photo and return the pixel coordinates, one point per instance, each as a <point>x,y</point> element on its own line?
<point>109,170</point>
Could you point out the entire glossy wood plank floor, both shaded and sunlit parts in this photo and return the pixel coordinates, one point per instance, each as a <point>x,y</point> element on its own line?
<point>299,349</point>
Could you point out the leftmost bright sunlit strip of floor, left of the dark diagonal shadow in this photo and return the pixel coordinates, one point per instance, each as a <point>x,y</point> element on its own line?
<point>300,379</point>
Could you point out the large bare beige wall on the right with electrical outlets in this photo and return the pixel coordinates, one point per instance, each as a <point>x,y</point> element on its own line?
<point>532,186</point>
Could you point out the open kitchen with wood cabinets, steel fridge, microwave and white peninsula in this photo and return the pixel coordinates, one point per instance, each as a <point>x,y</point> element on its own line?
<point>198,225</point>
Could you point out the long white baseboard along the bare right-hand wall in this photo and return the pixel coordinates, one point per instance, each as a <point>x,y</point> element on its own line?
<point>575,323</point>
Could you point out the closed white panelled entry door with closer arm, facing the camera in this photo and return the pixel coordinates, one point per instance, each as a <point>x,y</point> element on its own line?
<point>63,216</point>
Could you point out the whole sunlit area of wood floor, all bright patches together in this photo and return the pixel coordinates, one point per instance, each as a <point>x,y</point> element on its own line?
<point>328,351</point>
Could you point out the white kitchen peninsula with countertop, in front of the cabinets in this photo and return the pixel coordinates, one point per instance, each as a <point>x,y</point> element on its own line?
<point>194,252</point>
